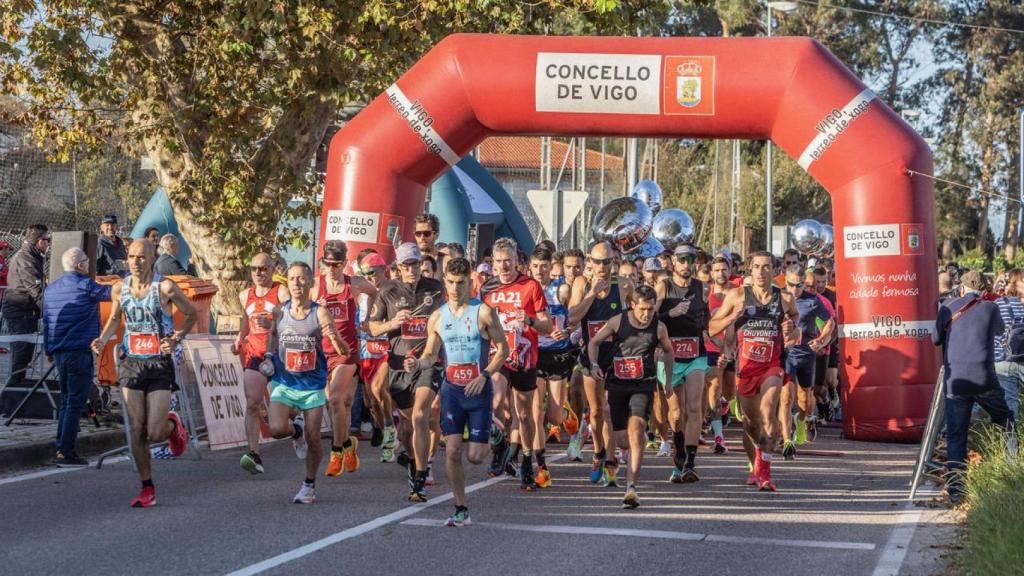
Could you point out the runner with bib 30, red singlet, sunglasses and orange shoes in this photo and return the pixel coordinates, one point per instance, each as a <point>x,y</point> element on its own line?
<point>339,294</point>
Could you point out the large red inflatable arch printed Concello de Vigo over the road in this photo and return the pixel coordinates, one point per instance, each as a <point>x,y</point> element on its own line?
<point>789,90</point>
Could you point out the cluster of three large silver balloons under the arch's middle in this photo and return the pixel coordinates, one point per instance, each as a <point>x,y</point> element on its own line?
<point>637,226</point>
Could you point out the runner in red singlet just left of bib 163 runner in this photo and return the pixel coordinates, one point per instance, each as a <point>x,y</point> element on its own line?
<point>259,303</point>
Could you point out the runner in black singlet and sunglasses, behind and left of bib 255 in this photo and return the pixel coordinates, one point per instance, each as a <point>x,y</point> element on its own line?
<point>592,305</point>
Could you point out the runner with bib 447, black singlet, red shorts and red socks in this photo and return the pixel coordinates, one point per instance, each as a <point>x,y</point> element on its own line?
<point>763,319</point>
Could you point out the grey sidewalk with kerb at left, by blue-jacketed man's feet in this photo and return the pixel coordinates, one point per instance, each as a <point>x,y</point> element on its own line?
<point>30,443</point>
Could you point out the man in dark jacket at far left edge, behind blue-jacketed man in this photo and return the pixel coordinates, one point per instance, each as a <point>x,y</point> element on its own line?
<point>24,303</point>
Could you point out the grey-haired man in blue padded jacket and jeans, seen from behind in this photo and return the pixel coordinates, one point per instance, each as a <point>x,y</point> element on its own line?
<point>71,322</point>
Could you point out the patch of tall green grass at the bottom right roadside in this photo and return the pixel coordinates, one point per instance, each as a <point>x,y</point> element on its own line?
<point>995,540</point>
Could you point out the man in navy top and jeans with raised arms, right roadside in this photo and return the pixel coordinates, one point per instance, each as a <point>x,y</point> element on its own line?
<point>966,328</point>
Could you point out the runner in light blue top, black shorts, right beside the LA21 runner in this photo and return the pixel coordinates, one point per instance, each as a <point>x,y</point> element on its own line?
<point>556,360</point>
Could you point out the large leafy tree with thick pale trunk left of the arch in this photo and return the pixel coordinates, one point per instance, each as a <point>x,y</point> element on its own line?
<point>232,99</point>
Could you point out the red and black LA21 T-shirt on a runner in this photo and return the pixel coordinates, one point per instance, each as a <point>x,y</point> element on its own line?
<point>523,294</point>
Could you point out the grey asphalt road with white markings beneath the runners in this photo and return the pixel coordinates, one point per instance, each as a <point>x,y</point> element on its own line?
<point>836,515</point>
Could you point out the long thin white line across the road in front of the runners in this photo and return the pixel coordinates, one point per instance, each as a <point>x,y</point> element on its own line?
<point>663,534</point>
